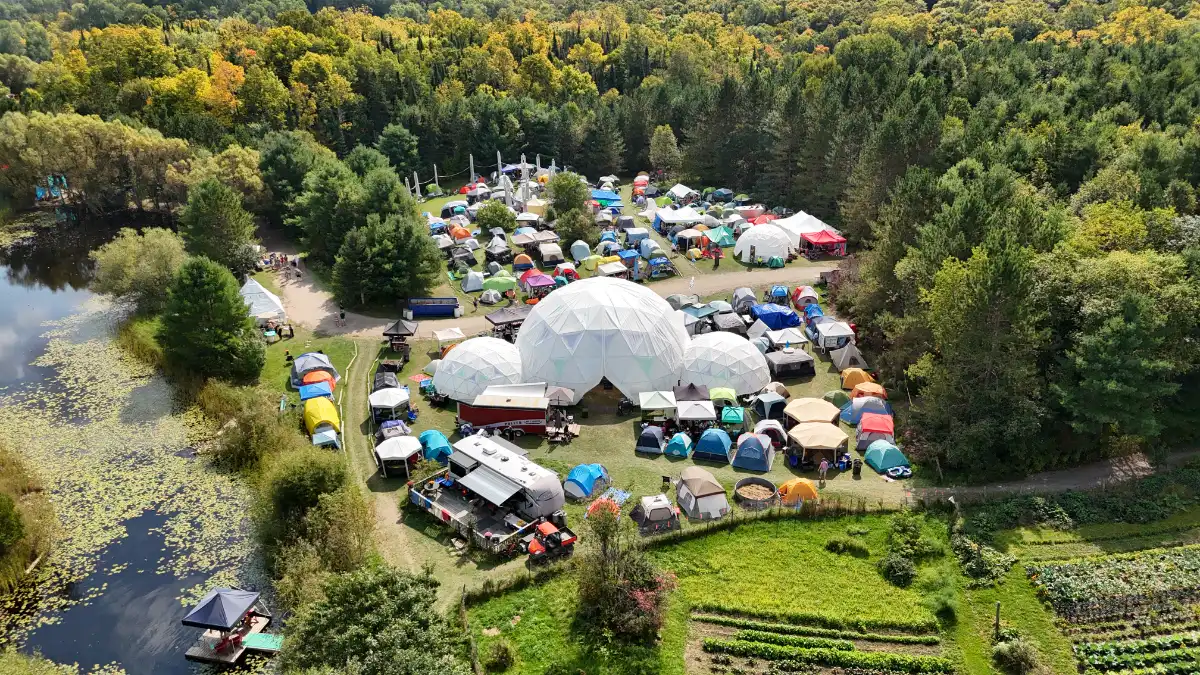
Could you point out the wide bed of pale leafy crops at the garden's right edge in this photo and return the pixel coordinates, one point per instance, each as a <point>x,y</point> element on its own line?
<point>1143,574</point>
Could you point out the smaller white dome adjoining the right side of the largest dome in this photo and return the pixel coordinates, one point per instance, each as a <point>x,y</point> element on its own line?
<point>725,360</point>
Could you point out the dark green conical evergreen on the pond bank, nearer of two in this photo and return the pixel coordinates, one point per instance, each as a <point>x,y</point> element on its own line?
<point>206,330</point>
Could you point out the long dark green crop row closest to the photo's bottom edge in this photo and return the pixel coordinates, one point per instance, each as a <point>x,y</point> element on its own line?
<point>884,661</point>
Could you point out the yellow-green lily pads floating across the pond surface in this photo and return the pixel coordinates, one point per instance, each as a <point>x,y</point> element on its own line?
<point>105,437</point>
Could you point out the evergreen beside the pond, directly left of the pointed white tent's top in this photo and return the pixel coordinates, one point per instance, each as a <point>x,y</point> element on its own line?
<point>215,225</point>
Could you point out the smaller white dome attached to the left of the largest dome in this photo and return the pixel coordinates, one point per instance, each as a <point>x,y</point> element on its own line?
<point>477,365</point>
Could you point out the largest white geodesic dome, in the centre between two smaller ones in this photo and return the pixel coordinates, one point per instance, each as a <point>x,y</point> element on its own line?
<point>603,327</point>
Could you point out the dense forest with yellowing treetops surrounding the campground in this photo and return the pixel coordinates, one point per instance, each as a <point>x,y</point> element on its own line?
<point>1019,178</point>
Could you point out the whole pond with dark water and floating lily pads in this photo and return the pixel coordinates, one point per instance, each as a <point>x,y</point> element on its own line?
<point>146,527</point>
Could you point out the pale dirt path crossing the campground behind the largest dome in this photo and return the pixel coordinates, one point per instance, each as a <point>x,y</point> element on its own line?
<point>310,306</point>
